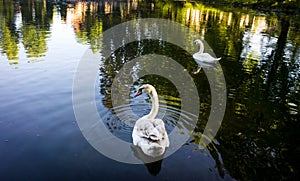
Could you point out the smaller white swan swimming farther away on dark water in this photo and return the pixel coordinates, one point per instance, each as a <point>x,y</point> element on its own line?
<point>201,57</point>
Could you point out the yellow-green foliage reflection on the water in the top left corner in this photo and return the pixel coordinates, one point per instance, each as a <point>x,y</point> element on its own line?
<point>29,26</point>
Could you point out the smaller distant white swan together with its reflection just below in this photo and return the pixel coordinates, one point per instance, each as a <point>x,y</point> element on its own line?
<point>204,60</point>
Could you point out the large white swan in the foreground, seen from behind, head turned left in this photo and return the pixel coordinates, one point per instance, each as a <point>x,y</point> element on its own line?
<point>149,133</point>
